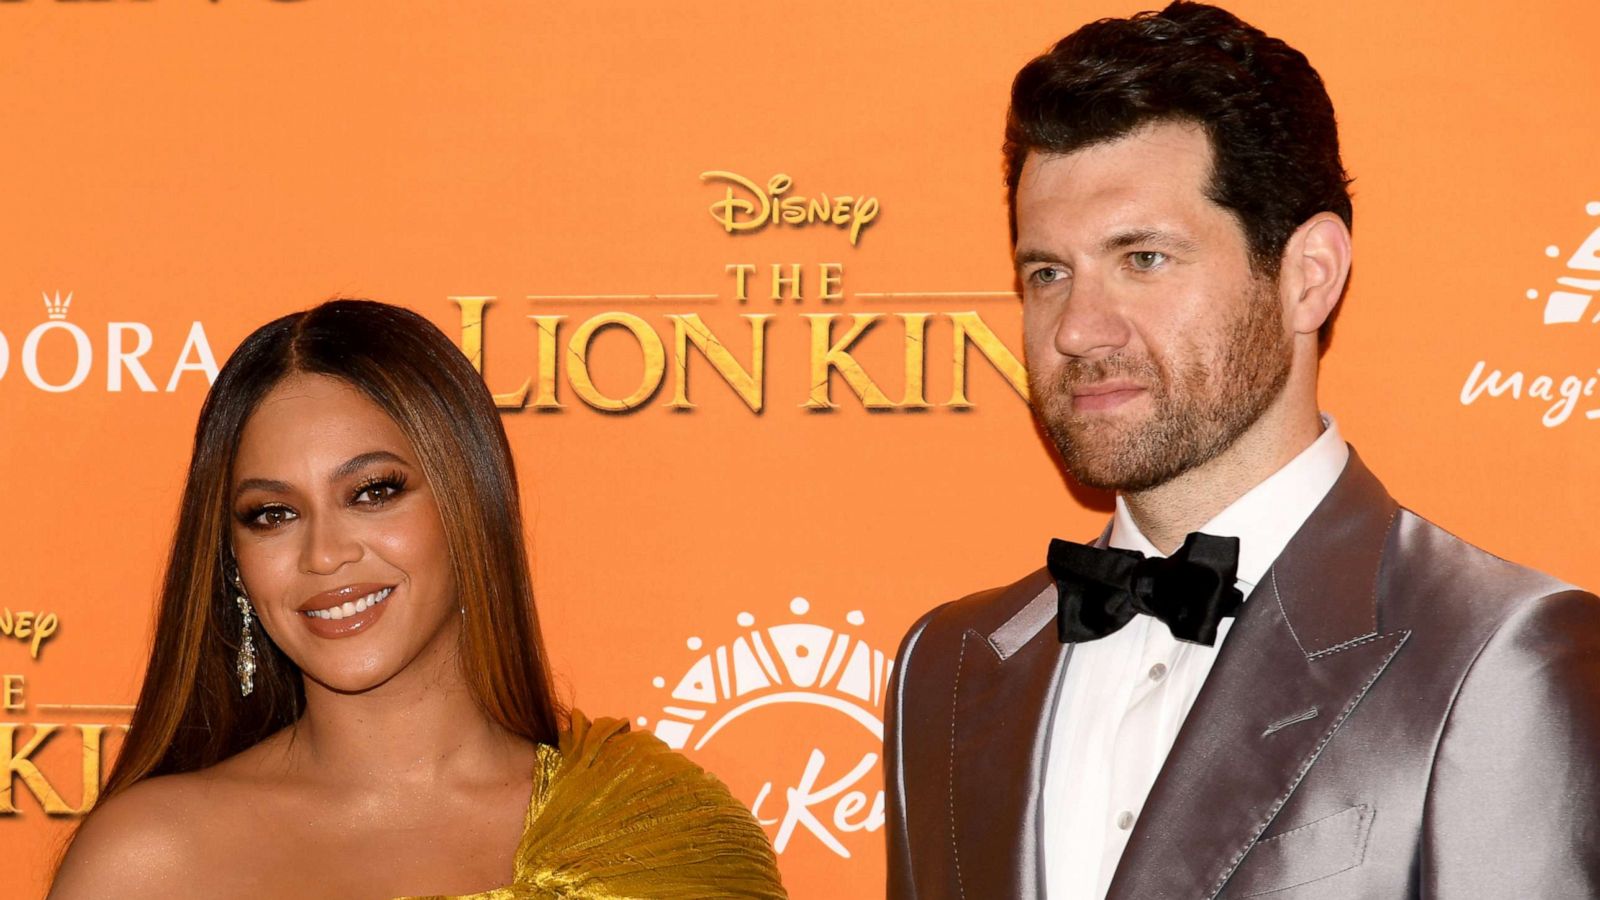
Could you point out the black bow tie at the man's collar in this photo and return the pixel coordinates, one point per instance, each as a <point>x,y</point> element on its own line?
<point>1102,590</point>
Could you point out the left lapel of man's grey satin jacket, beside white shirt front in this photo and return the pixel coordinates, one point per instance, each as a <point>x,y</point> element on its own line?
<point>1006,693</point>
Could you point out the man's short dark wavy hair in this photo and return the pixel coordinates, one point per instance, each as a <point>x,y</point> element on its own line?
<point>1270,121</point>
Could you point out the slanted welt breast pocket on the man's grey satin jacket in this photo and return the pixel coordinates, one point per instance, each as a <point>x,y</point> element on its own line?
<point>1302,856</point>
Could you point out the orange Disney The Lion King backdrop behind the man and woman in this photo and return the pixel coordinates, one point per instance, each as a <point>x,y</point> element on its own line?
<point>740,279</point>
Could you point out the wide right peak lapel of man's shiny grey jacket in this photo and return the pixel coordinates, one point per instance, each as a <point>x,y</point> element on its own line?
<point>1302,657</point>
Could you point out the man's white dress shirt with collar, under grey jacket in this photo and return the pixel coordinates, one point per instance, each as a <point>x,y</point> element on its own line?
<point>1127,694</point>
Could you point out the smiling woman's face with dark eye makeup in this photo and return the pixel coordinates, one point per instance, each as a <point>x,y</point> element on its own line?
<point>338,537</point>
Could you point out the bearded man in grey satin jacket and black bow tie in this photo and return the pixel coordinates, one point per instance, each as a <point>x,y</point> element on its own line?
<point>1338,701</point>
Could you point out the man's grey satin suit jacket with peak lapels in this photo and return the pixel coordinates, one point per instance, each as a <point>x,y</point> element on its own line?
<point>1394,715</point>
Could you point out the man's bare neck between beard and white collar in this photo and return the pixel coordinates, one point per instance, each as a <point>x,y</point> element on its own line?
<point>1170,512</point>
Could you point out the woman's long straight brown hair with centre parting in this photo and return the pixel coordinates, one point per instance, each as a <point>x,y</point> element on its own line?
<point>190,712</point>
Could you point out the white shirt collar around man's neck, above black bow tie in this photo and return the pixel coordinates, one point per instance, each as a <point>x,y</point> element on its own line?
<point>1268,515</point>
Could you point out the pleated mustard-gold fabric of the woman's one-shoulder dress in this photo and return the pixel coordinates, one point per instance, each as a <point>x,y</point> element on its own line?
<point>617,814</point>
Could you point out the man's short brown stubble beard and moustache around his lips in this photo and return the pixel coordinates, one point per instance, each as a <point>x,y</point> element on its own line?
<point>1196,412</point>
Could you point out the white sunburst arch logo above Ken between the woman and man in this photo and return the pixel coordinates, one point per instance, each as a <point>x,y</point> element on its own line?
<point>782,664</point>
